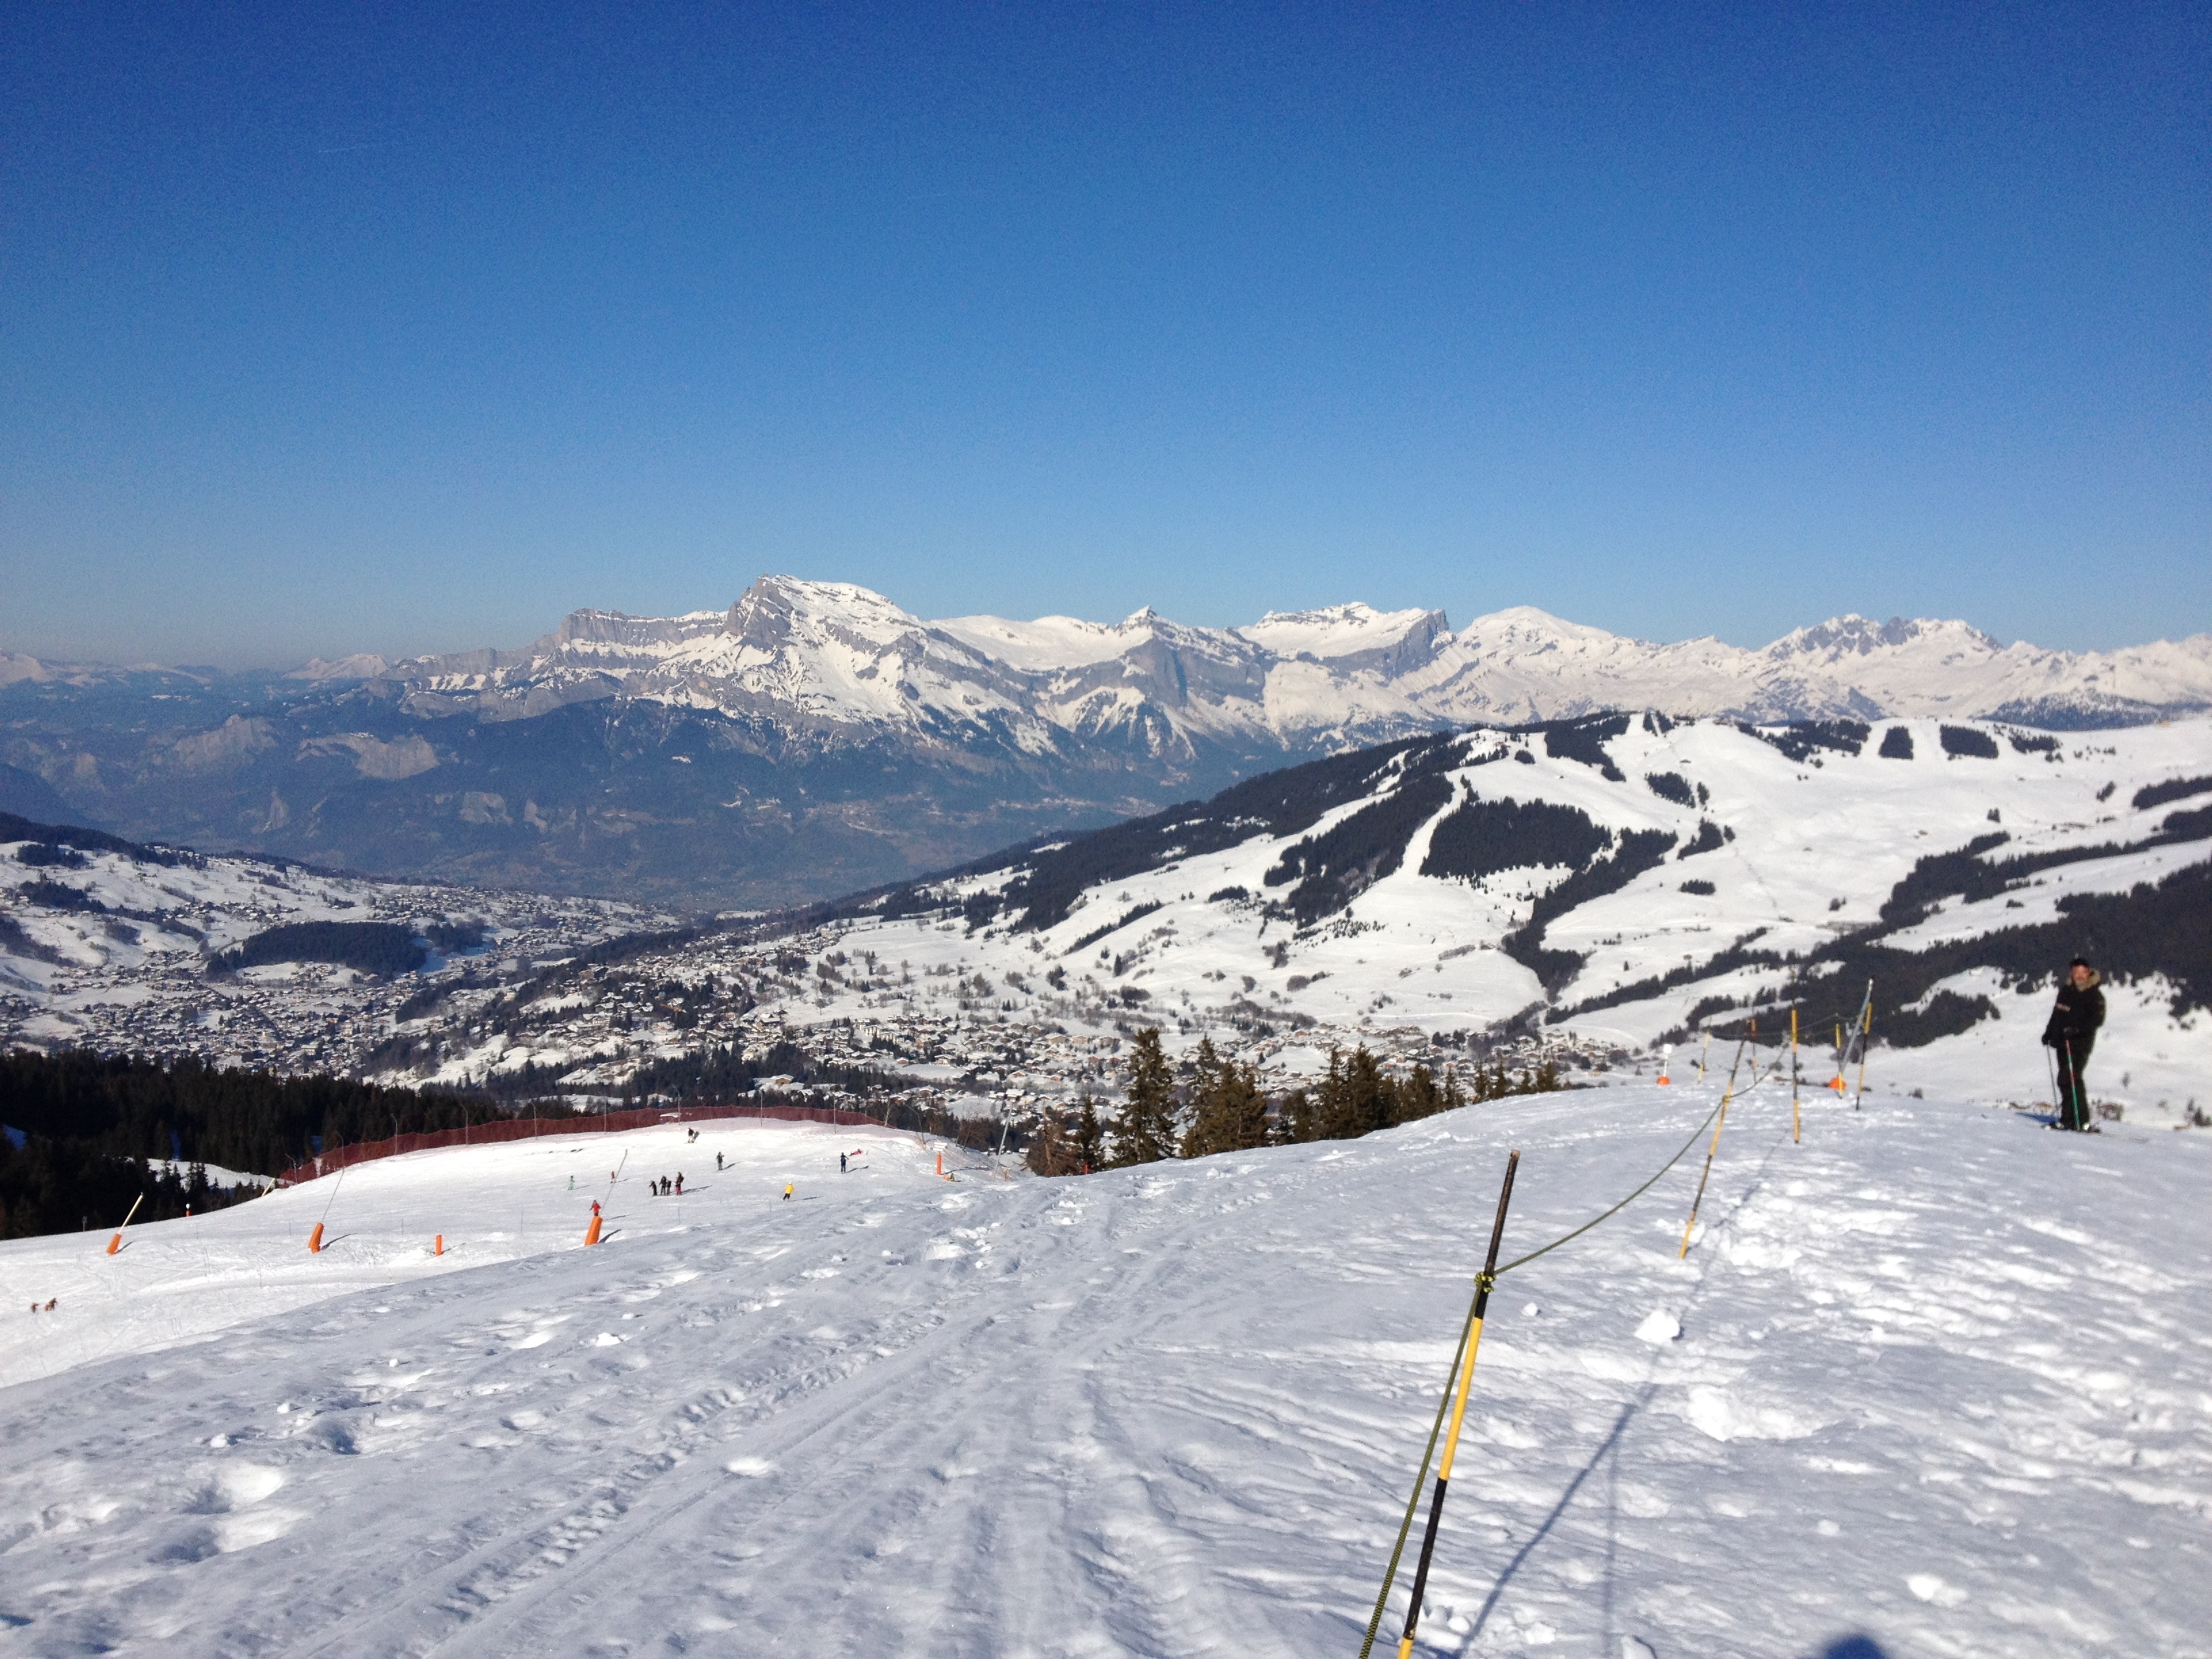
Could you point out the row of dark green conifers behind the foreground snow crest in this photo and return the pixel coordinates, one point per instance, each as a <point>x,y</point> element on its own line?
<point>1220,1107</point>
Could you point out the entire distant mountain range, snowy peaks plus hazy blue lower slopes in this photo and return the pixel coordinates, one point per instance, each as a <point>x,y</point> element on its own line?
<point>815,738</point>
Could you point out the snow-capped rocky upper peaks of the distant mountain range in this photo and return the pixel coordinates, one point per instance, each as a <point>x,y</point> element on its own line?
<point>831,654</point>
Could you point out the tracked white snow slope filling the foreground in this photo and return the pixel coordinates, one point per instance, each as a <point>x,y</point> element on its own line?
<point>1930,1384</point>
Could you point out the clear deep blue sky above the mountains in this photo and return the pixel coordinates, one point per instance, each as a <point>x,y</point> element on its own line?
<point>404,328</point>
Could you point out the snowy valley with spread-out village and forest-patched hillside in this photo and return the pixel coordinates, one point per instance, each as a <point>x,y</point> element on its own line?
<point>1607,888</point>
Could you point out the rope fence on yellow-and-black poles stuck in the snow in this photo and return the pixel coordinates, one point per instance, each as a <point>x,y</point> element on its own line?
<point>1459,1379</point>
